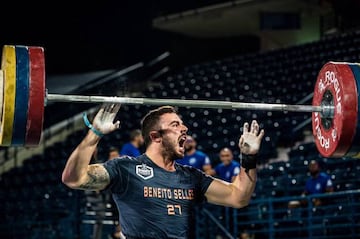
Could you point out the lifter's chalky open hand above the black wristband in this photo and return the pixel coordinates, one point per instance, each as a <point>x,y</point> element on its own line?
<point>250,140</point>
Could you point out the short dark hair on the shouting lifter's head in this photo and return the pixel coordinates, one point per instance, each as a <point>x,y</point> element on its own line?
<point>151,120</point>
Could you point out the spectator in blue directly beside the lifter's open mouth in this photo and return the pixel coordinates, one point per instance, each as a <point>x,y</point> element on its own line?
<point>194,157</point>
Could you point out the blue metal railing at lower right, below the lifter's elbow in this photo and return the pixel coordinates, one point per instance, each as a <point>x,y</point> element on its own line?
<point>338,216</point>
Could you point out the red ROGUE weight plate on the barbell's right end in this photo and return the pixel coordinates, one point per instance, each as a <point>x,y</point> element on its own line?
<point>335,140</point>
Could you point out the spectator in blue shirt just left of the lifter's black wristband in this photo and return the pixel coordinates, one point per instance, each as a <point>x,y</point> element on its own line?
<point>228,168</point>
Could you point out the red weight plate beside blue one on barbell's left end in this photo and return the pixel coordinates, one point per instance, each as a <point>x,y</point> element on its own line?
<point>35,118</point>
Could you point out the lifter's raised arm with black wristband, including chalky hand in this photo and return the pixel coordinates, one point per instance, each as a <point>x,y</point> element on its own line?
<point>238,193</point>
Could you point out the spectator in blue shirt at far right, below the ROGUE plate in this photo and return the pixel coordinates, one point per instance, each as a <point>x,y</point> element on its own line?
<point>319,182</point>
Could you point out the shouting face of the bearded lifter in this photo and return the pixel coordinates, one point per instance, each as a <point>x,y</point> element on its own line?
<point>173,135</point>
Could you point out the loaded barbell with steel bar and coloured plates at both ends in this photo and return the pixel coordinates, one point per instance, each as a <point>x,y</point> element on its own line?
<point>23,97</point>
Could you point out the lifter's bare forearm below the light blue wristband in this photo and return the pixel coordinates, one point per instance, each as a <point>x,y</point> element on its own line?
<point>75,171</point>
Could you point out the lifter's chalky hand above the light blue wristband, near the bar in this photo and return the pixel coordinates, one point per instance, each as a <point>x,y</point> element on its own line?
<point>104,119</point>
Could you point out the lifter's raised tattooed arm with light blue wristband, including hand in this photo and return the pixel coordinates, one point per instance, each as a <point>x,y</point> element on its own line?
<point>78,172</point>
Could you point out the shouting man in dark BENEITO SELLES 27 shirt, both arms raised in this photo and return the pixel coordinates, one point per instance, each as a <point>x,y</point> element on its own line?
<point>156,195</point>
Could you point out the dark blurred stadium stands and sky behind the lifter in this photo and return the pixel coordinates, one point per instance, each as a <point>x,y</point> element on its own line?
<point>266,51</point>
